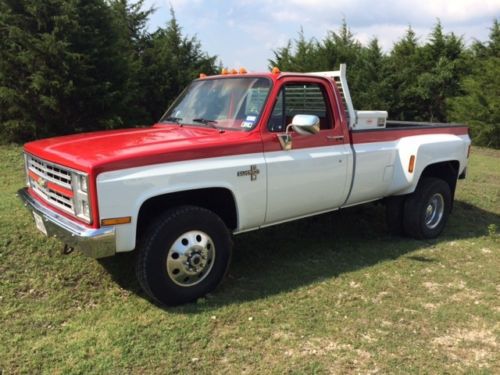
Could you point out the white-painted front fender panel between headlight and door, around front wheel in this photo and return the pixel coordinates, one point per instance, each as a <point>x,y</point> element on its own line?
<point>122,193</point>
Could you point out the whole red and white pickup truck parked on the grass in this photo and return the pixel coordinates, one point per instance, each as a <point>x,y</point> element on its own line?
<point>234,153</point>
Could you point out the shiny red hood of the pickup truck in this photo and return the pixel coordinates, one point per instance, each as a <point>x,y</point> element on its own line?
<point>117,149</point>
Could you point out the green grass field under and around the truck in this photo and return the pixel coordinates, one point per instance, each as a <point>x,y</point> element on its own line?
<point>331,294</point>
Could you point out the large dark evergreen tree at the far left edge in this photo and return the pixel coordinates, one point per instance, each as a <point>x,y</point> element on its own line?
<point>60,68</point>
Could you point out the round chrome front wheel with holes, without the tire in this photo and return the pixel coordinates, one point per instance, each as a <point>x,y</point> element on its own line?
<point>190,258</point>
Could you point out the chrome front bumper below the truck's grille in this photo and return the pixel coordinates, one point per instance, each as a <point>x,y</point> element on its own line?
<point>95,243</point>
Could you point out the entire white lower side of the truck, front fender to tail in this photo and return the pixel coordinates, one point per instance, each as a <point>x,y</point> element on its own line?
<point>290,185</point>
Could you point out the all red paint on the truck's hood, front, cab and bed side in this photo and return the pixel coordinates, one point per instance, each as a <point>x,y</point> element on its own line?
<point>103,151</point>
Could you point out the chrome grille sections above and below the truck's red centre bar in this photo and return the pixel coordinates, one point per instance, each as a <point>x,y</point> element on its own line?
<point>52,173</point>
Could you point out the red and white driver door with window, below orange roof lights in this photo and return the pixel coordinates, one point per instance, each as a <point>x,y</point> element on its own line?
<point>315,175</point>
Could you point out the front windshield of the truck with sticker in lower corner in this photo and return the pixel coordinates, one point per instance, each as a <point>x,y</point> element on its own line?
<point>224,103</point>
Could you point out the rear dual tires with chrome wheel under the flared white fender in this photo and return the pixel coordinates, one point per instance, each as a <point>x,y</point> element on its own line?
<point>426,211</point>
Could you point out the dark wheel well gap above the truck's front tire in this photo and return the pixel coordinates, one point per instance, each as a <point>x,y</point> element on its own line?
<point>218,200</point>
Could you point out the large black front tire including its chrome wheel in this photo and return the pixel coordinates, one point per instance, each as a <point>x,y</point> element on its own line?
<point>184,255</point>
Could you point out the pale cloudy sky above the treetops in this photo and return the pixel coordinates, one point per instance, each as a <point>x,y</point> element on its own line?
<point>244,32</point>
